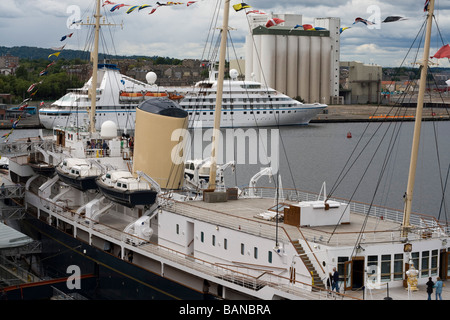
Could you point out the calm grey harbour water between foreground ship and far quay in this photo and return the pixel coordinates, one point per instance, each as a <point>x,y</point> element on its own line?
<point>371,166</point>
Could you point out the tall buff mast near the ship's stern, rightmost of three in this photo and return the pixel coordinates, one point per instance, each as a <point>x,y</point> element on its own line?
<point>406,227</point>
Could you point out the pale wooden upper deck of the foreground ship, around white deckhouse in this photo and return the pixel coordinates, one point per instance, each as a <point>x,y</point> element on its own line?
<point>244,214</point>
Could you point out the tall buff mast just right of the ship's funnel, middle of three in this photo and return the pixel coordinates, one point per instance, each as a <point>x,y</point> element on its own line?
<point>218,109</point>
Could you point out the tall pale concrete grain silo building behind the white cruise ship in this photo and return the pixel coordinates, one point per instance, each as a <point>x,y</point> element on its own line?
<point>299,63</point>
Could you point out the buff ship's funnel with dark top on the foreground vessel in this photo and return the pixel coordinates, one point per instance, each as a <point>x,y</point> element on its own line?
<point>160,141</point>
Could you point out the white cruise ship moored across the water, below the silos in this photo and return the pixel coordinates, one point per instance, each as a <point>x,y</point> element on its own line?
<point>245,103</point>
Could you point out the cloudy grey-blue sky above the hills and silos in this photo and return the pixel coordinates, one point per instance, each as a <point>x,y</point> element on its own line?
<point>181,32</point>
